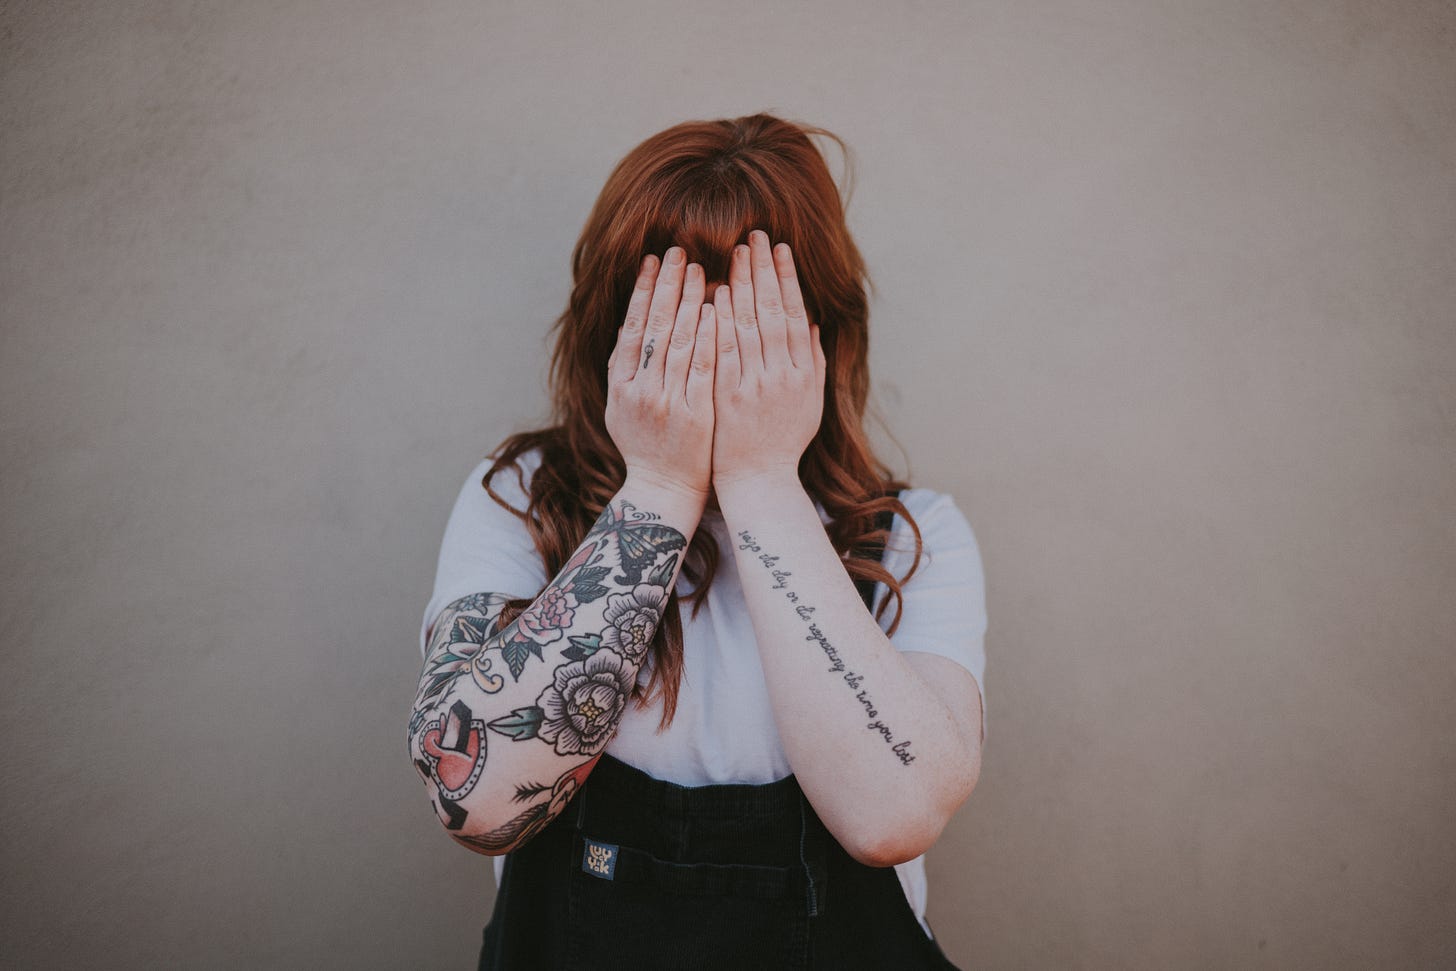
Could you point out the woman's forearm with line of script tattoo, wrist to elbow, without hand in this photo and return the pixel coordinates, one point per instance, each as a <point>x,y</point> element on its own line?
<point>876,750</point>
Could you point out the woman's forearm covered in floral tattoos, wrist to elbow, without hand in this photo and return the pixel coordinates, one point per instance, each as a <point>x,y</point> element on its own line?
<point>509,723</point>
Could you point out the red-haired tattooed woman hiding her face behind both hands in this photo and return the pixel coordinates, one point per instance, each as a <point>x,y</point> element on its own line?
<point>752,785</point>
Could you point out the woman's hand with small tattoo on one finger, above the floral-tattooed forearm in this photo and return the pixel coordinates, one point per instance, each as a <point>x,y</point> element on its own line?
<point>660,379</point>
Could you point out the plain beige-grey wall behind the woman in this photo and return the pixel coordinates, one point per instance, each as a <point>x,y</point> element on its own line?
<point>1166,299</point>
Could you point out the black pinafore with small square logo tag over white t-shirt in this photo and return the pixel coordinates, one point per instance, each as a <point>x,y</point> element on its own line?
<point>646,874</point>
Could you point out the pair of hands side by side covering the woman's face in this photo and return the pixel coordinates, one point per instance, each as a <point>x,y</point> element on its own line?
<point>716,391</point>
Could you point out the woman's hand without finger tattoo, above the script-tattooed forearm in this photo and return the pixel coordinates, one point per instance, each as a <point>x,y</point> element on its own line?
<point>769,381</point>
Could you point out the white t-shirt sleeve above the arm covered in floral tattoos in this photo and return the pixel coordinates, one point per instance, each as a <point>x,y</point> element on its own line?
<point>486,548</point>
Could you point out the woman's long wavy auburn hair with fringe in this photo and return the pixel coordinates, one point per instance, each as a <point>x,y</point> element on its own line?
<point>704,186</point>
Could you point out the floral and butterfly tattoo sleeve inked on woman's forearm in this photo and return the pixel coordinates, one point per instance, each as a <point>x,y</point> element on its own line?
<point>628,561</point>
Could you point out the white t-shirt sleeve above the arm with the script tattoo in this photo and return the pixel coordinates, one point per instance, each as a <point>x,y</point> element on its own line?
<point>944,609</point>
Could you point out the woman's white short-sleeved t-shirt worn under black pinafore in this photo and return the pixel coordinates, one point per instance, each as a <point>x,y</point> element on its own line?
<point>487,550</point>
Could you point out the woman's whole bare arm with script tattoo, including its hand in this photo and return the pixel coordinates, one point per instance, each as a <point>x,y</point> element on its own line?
<point>882,756</point>
